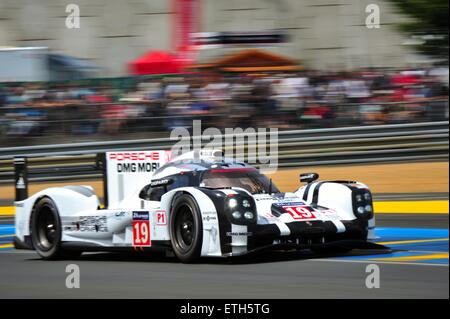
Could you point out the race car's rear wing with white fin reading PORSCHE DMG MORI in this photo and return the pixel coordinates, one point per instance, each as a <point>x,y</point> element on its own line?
<point>122,173</point>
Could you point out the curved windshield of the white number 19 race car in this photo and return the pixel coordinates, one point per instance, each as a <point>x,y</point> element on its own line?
<point>247,178</point>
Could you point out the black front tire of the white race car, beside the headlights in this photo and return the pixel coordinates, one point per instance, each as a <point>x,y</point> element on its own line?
<point>186,229</point>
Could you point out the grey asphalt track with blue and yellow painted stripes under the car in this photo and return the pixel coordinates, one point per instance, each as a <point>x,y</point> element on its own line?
<point>404,271</point>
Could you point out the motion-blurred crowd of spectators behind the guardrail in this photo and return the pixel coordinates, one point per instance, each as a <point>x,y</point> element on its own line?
<point>287,101</point>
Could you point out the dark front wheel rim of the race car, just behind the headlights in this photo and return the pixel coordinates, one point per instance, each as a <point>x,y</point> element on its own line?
<point>184,228</point>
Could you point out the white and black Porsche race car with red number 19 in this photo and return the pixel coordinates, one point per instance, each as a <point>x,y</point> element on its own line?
<point>198,204</point>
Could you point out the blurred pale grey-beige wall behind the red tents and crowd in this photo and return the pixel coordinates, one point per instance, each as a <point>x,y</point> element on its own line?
<point>325,34</point>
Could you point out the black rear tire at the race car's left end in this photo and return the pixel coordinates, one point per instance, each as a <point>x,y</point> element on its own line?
<point>46,231</point>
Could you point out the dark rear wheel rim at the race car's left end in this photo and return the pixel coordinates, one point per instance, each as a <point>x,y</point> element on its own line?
<point>46,228</point>
